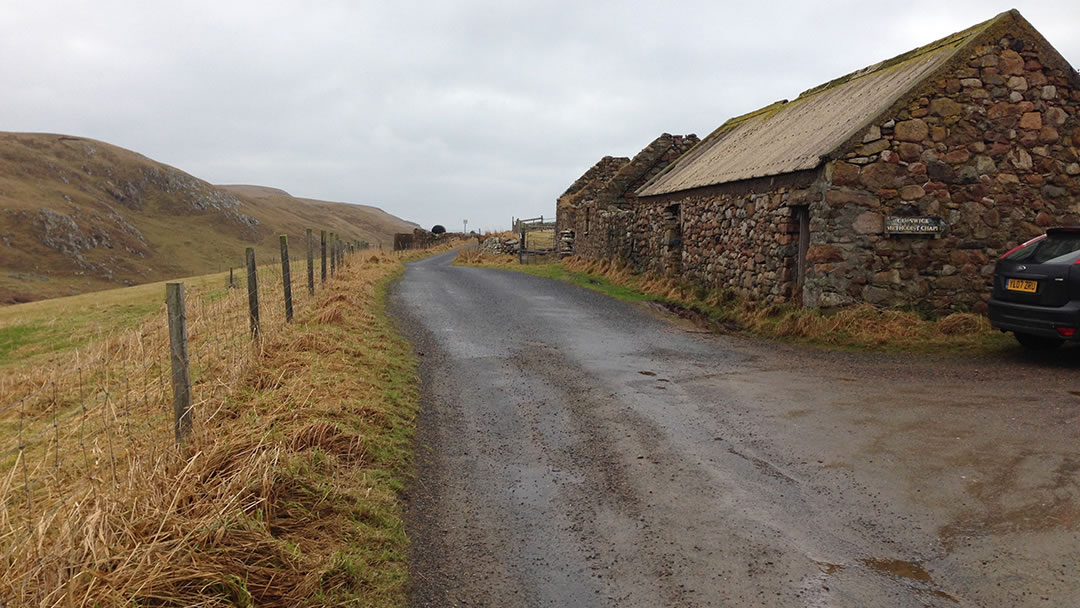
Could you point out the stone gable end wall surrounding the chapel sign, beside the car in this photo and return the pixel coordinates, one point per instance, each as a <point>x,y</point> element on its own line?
<point>991,148</point>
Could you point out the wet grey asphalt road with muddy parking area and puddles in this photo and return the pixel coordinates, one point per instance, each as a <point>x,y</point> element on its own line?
<point>575,451</point>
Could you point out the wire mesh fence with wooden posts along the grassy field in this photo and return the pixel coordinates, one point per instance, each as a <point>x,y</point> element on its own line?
<point>107,414</point>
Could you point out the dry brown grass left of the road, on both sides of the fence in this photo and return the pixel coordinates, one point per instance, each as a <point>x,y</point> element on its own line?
<point>286,495</point>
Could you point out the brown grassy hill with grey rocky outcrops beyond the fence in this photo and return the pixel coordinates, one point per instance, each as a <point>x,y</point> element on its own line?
<point>78,215</point>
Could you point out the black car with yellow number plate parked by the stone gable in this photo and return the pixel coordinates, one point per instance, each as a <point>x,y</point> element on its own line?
<point>1037,290</point>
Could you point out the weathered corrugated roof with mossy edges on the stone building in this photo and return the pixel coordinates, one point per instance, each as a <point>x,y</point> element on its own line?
<point>793,137</point>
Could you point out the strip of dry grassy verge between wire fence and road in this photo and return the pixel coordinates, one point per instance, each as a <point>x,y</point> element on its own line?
<point>289,494</point>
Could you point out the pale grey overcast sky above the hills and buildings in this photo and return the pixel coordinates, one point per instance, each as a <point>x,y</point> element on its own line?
<point>439,112</point>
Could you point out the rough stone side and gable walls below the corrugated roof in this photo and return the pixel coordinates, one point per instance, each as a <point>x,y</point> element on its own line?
<point>990,145</point>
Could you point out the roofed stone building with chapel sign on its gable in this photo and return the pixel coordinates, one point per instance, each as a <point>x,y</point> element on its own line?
<point>899,185</point>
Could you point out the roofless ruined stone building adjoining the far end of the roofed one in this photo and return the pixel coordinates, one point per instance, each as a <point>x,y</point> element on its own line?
<point>599,208</point>
